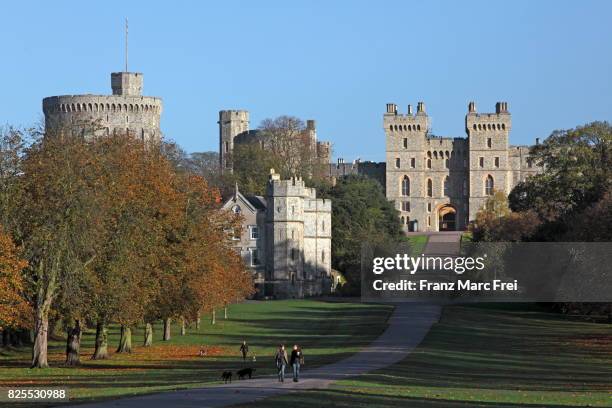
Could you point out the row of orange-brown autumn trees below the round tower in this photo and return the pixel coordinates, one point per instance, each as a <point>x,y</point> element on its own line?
<point>108,231</point>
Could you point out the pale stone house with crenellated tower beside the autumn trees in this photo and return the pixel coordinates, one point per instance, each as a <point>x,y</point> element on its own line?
<point>286,238</point>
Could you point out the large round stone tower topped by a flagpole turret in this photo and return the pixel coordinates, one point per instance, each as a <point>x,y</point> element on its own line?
<point>125,111</point>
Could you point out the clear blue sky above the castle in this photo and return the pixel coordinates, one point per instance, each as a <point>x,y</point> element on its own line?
<point>338,62</point>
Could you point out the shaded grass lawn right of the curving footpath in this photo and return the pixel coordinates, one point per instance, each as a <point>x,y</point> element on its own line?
<point>487,355</point>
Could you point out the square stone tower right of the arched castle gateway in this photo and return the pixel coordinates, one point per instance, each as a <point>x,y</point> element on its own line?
<point>489,166</point>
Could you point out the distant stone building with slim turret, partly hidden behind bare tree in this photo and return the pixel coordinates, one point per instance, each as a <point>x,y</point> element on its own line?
<point>234,128</point>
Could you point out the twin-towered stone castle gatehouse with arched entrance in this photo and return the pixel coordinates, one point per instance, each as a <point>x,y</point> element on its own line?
<point>440,183</point>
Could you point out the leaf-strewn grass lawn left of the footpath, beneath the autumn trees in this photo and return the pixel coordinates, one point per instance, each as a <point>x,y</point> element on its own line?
<point>327,331</point>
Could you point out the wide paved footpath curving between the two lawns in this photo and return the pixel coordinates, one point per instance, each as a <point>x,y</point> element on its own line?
<point>408,325</point>
